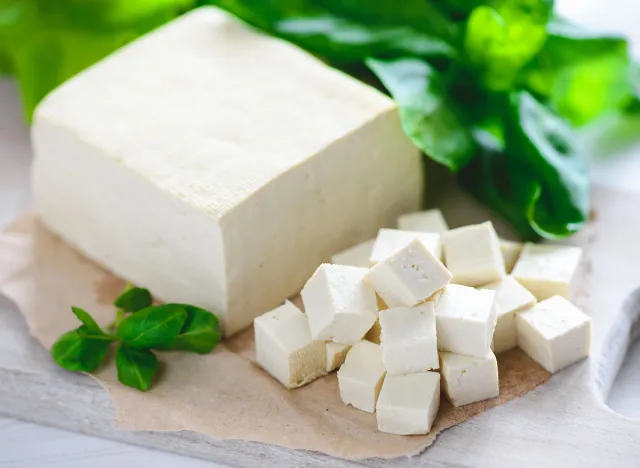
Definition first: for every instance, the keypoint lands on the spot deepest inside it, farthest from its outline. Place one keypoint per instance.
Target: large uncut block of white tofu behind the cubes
(218, 166)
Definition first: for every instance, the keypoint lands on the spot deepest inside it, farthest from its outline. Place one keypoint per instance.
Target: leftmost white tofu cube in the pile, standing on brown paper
(285, 349)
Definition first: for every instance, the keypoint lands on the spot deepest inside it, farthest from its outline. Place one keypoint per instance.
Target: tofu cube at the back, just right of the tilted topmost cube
(472, 254)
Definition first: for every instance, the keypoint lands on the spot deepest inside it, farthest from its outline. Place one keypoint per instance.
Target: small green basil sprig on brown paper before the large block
(140, 327)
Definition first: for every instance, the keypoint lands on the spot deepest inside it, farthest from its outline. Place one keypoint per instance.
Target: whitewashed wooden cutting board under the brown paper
(563, 421)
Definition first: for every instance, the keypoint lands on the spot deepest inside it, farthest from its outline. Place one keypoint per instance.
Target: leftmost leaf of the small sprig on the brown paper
(77, 352)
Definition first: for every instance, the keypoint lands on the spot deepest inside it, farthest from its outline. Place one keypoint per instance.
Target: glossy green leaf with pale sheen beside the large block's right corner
(428, 117)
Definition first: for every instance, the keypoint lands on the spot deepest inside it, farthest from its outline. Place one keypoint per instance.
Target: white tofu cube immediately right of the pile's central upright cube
(465, 320)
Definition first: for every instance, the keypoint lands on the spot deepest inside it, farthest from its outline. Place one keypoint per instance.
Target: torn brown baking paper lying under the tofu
(223, 394)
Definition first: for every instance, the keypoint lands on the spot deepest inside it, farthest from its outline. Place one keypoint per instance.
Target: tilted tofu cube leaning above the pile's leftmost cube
(340, 305)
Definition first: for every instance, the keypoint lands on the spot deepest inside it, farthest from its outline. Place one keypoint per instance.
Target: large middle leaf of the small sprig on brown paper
(152, 327)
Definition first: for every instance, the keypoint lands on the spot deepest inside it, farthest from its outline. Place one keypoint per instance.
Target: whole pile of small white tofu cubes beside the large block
(422, 309)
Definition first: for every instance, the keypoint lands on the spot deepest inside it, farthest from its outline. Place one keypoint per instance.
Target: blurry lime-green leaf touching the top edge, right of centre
(500, 41)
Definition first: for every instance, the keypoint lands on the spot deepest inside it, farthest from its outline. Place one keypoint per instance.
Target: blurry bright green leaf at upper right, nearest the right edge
(580, 73)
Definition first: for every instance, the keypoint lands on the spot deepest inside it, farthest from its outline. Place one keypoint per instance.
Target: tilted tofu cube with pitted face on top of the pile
(408, 277)
